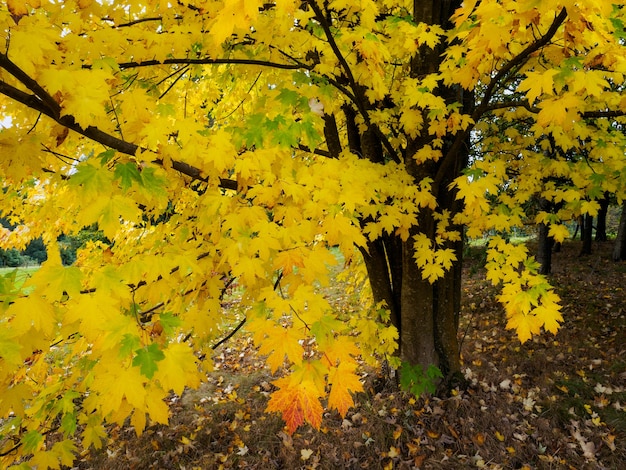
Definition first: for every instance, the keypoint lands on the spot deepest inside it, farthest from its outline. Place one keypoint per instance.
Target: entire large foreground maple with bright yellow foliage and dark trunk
(248, 141)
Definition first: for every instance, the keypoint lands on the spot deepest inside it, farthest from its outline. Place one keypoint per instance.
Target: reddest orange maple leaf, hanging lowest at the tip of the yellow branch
(298, 403)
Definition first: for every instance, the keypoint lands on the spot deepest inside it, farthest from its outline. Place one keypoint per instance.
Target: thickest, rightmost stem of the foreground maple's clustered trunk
(430, 312)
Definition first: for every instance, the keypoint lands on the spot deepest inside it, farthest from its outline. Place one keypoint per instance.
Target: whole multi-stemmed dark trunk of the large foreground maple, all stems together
(426, 315)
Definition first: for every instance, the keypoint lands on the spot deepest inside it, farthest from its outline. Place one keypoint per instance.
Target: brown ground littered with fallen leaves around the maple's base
(553, 402)
